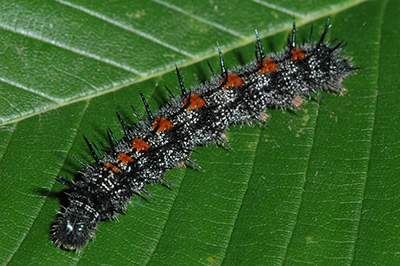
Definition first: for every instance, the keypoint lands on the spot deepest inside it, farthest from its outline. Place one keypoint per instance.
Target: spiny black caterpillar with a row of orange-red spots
(167, 138)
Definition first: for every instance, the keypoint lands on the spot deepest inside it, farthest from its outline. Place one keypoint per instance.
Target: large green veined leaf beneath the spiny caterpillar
(320, 186)
